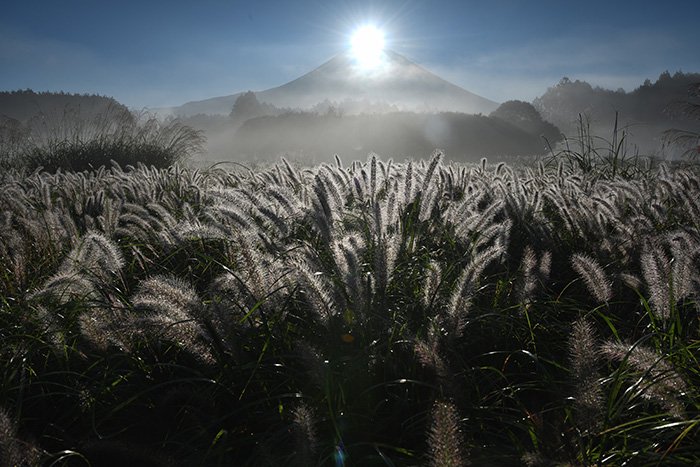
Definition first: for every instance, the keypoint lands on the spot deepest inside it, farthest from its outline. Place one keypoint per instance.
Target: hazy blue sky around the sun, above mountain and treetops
(158, 53)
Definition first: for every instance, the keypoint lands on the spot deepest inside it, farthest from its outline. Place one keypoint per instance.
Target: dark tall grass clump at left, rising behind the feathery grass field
(74, 142)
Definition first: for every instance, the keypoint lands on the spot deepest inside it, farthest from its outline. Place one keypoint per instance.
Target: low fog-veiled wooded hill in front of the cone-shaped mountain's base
(314, 137)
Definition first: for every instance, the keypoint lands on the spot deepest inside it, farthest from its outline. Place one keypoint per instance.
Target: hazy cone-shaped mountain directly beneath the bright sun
(398, 82)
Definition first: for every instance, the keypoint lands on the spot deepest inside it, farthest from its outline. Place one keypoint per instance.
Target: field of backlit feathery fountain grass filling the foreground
(379, 314)
